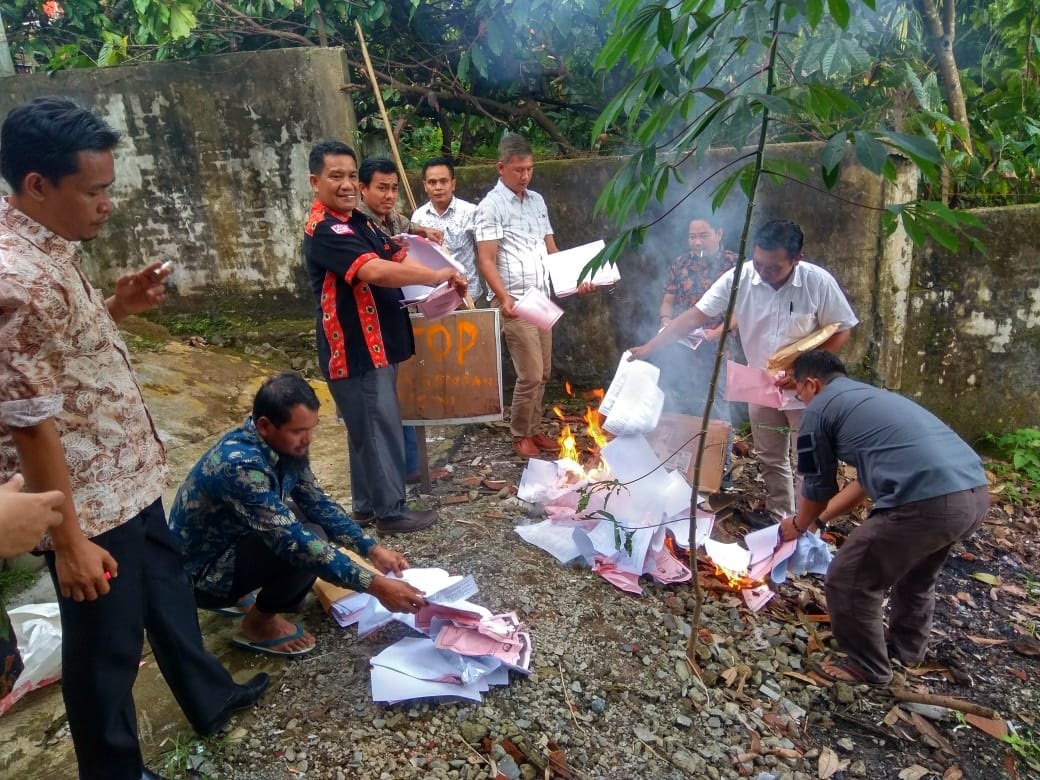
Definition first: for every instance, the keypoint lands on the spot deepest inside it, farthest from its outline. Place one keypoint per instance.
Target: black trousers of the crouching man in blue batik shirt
(283, 587)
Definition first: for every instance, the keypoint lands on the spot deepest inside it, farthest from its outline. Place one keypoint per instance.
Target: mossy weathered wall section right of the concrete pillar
(973, 353)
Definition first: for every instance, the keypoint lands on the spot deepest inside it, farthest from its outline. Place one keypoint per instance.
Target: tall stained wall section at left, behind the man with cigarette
(213, 169)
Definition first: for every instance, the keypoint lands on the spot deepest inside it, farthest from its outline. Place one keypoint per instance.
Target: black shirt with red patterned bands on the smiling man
(361, 326)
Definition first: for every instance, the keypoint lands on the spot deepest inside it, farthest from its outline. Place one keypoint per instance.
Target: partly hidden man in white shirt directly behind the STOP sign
(452, 216)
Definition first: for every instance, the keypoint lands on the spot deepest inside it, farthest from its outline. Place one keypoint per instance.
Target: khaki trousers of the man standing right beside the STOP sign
(531, 351)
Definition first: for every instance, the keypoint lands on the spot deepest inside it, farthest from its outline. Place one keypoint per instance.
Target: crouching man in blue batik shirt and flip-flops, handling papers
(251, 515)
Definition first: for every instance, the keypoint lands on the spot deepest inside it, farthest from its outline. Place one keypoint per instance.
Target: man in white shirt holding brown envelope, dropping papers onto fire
(782, 299)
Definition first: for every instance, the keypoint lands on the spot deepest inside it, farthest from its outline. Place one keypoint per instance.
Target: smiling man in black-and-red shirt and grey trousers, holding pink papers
(356, 273)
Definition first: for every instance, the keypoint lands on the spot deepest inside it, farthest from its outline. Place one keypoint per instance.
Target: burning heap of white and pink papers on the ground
(632, 506)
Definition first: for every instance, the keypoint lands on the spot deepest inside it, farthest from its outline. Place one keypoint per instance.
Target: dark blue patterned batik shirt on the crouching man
(241, 487)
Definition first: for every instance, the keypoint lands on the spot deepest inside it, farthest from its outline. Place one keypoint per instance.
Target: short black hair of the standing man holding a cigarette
(46, 137)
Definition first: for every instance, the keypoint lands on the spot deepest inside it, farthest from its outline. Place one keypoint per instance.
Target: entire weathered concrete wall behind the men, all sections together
(213, 173)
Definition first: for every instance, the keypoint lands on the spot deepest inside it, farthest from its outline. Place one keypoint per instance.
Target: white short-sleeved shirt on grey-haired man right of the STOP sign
(521, 228)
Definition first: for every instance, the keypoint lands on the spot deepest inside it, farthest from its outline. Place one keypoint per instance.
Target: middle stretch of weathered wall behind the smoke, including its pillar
(596, 329)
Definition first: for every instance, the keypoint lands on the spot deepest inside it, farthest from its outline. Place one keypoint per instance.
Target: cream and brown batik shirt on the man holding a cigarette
(63, 359)
